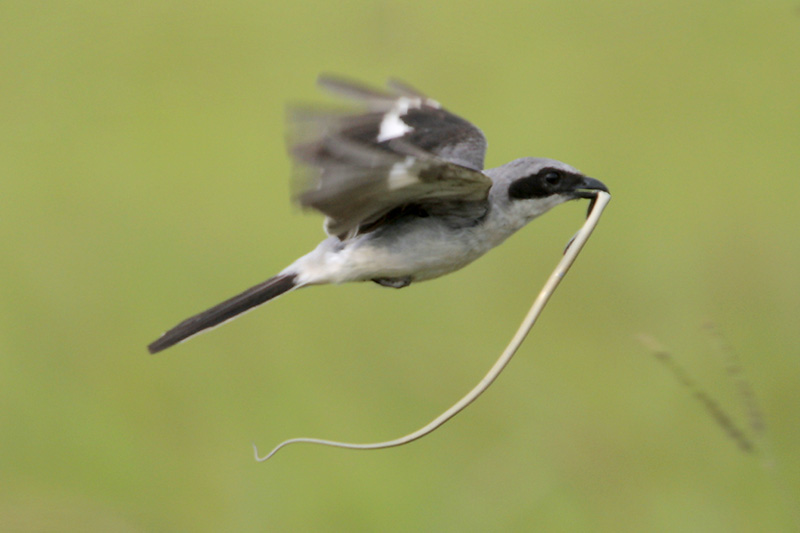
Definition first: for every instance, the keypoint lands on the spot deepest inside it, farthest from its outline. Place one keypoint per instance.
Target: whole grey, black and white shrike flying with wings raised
(402, 186)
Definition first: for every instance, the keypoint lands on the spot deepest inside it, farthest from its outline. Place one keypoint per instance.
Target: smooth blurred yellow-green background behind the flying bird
(144, 178)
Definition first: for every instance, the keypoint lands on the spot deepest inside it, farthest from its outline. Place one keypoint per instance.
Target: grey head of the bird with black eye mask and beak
(532, 186)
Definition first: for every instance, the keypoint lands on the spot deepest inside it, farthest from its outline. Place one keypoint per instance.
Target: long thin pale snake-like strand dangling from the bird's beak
(555, 278)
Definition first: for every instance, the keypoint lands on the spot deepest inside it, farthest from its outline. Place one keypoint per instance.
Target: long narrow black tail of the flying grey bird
(261, 293)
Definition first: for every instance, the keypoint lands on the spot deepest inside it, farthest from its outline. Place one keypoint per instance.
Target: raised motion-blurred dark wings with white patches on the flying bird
(399, 151)
